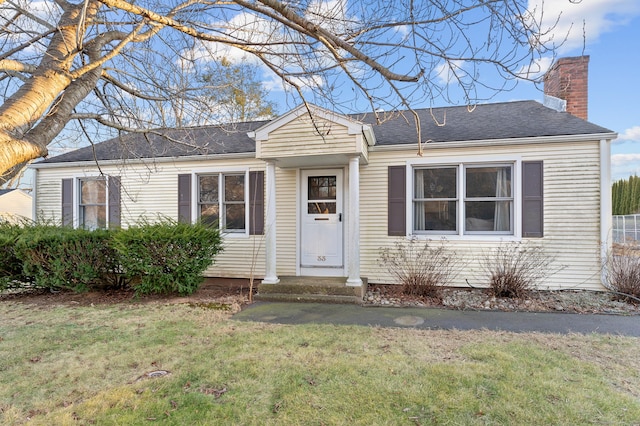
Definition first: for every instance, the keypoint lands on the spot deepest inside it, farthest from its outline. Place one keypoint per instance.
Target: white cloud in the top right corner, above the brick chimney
(583, 21)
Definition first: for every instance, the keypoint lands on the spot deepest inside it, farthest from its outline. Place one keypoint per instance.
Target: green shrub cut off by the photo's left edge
(11, 267)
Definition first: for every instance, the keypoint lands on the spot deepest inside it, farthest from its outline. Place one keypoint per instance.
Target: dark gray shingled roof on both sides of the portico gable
(507, 120)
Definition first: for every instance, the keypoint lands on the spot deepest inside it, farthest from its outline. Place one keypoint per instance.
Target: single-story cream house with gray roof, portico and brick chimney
(316, 193)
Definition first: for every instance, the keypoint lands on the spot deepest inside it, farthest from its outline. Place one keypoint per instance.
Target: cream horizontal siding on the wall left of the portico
(152, 189)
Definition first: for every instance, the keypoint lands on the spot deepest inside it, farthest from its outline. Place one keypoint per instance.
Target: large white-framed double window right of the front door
(474, 199)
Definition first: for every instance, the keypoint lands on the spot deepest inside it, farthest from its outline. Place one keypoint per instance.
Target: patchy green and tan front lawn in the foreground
(87, 365)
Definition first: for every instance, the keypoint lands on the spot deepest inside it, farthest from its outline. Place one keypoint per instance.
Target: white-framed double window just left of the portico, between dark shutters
(221, 199)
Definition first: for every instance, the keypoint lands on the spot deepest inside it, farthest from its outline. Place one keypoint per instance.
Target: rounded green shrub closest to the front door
(166, 256)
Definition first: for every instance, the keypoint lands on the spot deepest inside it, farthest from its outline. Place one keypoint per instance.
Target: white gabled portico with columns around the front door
(323, 152)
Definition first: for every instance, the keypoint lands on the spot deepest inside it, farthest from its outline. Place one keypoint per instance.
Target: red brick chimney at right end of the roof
(568, 79)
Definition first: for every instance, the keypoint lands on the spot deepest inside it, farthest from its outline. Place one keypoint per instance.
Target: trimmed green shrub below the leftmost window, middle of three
(66, 258)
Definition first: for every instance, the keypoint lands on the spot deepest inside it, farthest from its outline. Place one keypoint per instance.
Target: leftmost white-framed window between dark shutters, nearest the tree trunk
(92, 205)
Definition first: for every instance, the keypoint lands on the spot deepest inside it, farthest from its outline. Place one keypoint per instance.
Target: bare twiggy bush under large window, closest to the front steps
(422, 269)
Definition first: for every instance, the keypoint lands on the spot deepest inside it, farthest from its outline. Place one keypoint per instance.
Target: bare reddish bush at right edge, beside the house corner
(623, 272)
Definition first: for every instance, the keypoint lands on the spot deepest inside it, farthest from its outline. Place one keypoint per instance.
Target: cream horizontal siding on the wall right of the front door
(571, 211)
